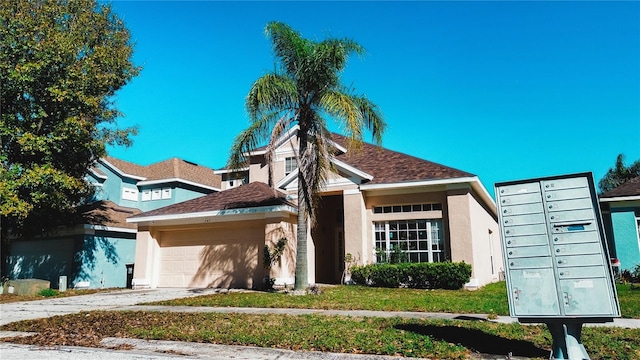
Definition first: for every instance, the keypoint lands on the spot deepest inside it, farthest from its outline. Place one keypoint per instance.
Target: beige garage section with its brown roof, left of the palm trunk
(214, 241)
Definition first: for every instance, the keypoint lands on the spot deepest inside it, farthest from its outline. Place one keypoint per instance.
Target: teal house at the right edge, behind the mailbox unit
(621, 218)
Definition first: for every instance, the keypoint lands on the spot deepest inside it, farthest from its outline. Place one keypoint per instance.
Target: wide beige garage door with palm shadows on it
(211, 258)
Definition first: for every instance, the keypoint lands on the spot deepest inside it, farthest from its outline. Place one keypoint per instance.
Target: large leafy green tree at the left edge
(61, 62)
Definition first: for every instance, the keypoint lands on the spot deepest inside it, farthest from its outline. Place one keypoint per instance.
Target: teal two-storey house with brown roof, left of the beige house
(100, 250)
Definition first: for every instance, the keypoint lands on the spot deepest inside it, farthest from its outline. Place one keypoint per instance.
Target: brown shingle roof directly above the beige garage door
(254, 194)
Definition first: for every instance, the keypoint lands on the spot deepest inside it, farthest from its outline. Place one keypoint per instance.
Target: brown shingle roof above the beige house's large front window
(389, 167)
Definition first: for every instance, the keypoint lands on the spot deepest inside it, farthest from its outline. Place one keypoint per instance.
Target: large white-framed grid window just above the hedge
(420, 240)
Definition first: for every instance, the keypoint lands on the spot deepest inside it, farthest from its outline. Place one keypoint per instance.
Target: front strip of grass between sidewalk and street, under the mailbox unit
(436, 339)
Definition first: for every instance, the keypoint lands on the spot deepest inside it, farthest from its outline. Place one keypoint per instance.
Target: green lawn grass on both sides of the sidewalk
(436, 339)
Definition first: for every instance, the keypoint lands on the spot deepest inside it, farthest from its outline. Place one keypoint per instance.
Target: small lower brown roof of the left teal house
(107, 213)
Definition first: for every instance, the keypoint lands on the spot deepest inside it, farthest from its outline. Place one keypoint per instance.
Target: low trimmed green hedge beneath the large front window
(444, 275)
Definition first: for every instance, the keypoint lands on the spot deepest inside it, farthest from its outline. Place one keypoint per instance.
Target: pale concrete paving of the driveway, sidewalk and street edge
(126, 300)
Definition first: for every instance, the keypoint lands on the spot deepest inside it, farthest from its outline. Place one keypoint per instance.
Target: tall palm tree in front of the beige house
(304, 88)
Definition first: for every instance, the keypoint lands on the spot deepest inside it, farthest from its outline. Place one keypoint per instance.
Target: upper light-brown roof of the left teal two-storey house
(173, 168)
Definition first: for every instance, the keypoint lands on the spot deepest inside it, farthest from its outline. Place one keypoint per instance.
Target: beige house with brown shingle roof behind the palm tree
(374, 201)
